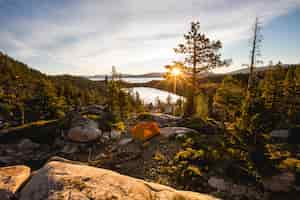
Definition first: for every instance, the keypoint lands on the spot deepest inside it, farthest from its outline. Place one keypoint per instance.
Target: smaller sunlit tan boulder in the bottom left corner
(11, 179)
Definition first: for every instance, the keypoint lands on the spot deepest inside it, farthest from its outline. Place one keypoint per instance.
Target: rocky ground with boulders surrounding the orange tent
(79, 141)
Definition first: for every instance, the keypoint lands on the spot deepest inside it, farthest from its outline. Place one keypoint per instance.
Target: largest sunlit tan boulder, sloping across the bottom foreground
(59, 180)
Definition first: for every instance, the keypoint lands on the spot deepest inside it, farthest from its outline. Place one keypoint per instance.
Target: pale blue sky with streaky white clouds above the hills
(88, 37)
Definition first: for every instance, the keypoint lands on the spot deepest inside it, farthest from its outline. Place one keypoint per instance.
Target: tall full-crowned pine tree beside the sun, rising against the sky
(202, 55)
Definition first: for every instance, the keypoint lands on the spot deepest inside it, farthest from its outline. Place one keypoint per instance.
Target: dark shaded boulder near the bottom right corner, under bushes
(279, 183)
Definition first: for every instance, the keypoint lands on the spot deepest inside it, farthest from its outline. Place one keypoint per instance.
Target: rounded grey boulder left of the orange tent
(86, 131)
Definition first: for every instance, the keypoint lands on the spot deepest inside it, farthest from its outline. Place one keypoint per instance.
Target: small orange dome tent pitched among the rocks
(145, 130)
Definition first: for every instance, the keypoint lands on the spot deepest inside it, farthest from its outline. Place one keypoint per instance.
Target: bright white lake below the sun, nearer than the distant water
(149, 95)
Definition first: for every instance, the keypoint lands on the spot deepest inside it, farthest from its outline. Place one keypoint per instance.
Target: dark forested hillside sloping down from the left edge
(28, 95)
